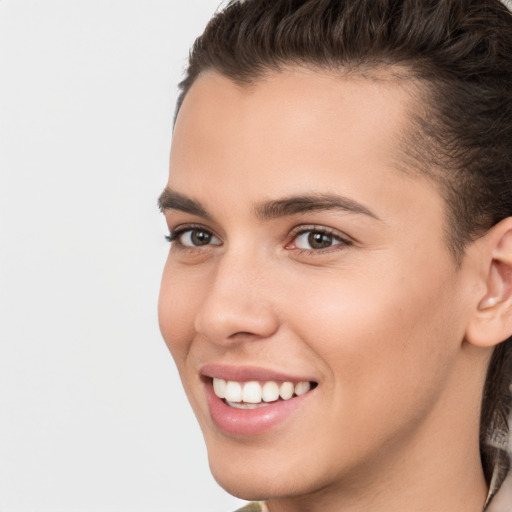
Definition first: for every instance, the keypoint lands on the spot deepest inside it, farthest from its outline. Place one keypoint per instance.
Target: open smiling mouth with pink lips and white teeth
(248, 401)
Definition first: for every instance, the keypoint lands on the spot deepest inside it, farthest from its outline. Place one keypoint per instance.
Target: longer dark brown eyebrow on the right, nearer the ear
(307, 203)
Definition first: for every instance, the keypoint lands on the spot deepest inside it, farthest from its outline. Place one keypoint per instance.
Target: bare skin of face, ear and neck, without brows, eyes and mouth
(394, 332)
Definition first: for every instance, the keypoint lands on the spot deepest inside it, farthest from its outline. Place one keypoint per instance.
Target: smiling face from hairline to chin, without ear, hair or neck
(304, 263)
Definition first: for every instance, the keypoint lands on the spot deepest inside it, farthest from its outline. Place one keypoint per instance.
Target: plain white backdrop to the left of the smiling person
(92, 416)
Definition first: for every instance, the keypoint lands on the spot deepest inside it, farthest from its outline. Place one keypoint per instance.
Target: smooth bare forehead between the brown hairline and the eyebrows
(294, 131)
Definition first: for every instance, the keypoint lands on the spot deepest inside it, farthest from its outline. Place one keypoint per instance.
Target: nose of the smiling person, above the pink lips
(237, 304)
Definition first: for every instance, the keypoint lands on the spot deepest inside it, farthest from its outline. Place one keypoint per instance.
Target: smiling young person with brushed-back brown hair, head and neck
(338, 292)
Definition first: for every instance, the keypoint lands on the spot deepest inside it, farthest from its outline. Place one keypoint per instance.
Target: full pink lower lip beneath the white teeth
(249, 422)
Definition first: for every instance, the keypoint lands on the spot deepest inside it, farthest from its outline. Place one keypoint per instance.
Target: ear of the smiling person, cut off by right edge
(491, 322)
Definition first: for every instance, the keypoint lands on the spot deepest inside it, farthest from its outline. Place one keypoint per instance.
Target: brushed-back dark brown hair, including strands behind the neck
(460, 54)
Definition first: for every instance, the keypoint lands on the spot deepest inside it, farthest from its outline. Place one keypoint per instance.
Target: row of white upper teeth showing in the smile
(253, 392)
